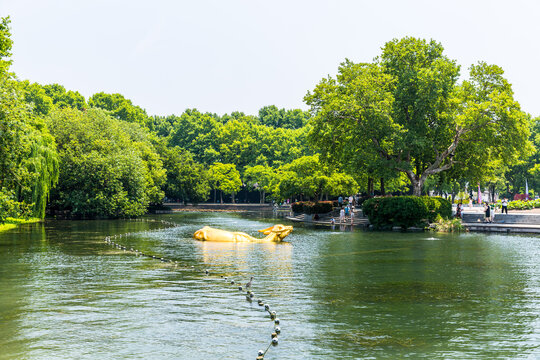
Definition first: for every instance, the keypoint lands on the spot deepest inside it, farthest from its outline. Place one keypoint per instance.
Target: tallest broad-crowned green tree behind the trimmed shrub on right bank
(407, 113)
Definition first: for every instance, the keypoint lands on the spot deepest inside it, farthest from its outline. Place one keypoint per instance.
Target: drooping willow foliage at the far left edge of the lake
(28, 159)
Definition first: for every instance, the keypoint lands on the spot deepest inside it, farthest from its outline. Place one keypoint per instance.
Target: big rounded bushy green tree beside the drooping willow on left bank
(108, 167)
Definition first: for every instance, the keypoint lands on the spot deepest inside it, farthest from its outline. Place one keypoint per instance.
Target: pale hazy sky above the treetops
(223, 56)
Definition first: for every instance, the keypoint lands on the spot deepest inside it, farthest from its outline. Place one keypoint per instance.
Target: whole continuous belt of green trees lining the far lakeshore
(403, 124)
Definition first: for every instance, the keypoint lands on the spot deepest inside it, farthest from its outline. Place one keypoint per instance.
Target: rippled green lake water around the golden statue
(67, 294)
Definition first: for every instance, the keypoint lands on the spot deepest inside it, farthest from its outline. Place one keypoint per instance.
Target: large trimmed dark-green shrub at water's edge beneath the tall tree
(405, 211)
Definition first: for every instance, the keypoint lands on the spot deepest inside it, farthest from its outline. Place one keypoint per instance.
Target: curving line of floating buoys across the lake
(113, 241)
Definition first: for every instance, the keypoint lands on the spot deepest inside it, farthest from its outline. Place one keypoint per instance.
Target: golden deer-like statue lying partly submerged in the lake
(274, 233)
